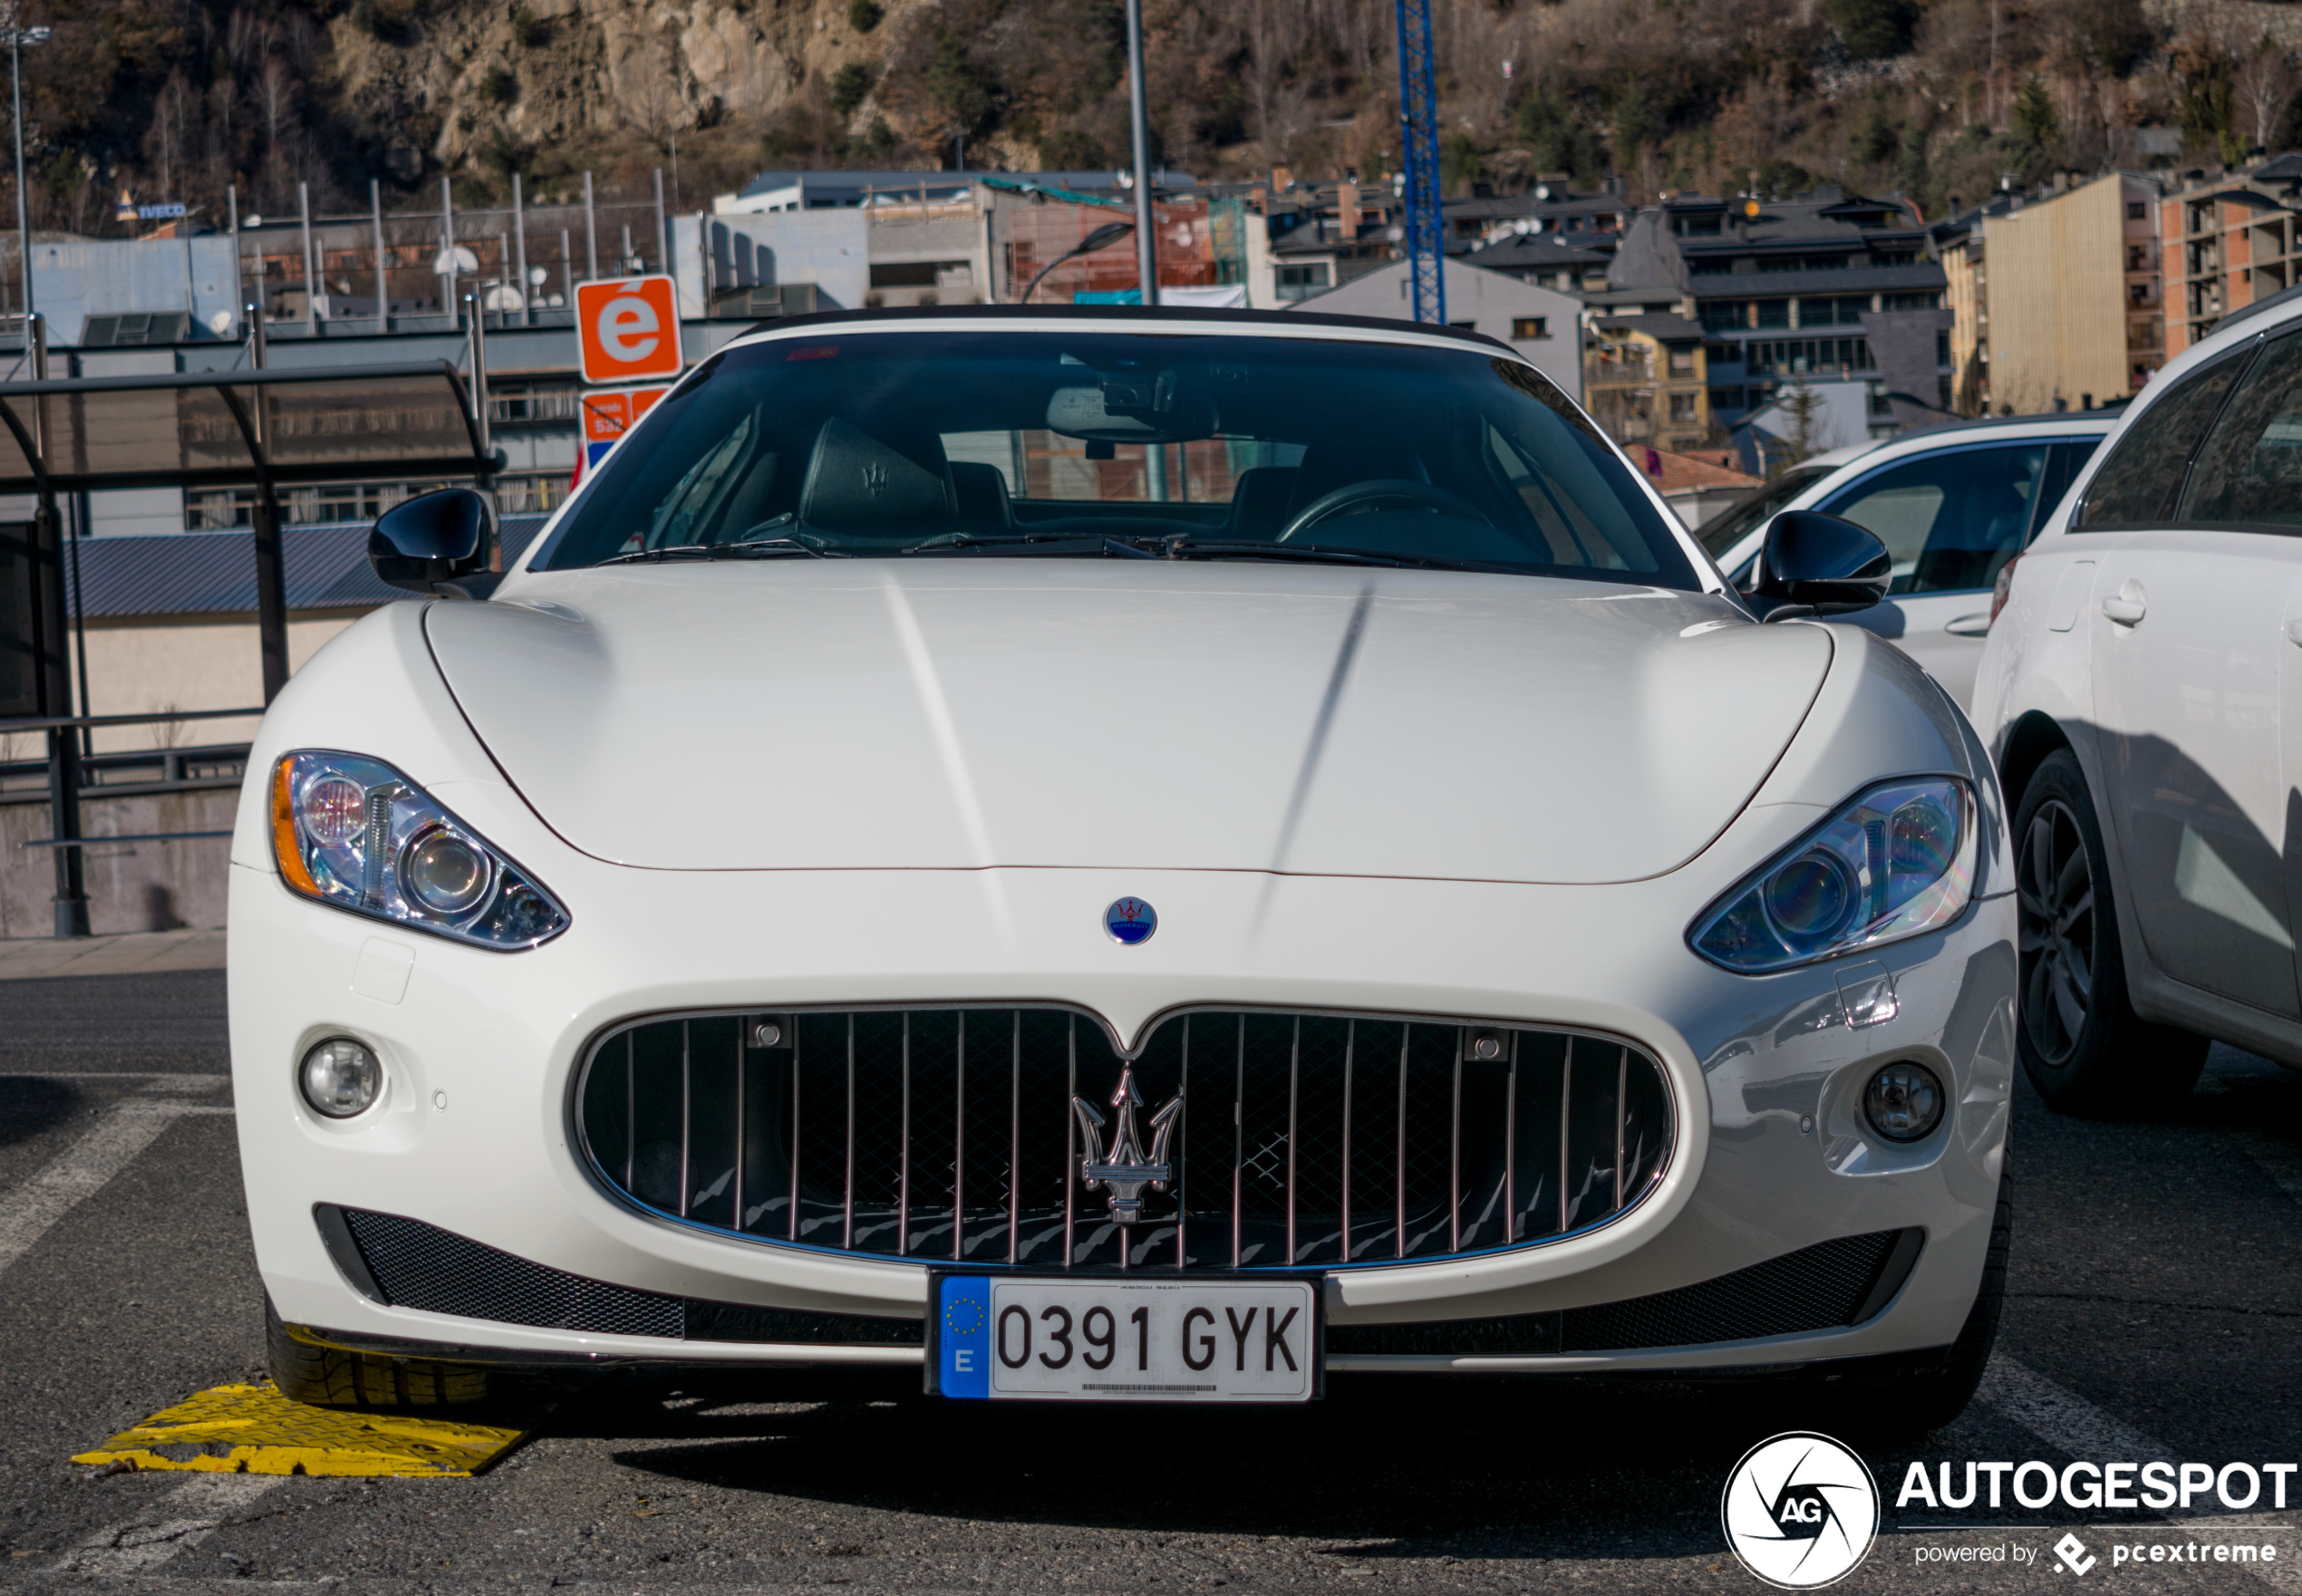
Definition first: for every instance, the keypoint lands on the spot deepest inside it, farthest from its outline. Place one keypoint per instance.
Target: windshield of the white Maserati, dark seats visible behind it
(1122, 446)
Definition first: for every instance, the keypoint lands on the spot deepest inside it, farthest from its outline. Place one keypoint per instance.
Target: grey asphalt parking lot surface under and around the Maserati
(2154, 1312)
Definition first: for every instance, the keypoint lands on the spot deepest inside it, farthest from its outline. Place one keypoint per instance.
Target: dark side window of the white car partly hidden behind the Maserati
(1953, 519)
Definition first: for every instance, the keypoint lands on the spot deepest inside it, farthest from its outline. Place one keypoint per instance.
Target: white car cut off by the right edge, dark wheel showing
(2144, 697)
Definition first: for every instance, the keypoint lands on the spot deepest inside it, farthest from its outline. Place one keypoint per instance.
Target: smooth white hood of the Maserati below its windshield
(1037, 713)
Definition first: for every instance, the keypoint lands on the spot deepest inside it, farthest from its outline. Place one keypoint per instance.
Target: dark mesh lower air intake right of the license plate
(1815, 1289)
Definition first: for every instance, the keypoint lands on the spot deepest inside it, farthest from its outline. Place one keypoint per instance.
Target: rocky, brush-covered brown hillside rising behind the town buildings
(1935, 98)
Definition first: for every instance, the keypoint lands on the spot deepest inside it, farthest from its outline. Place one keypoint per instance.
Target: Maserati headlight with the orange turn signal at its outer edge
(363, 837)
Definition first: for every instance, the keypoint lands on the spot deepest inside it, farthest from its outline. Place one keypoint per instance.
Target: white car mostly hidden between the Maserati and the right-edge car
(1953, 506)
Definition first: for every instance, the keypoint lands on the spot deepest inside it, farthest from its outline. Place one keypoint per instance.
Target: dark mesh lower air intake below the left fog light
(434, 1270)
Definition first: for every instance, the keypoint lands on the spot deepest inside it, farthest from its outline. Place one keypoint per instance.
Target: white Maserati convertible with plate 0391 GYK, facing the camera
(1122, 858)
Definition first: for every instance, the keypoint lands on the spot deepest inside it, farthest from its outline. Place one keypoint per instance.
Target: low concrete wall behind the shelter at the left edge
(130, 886)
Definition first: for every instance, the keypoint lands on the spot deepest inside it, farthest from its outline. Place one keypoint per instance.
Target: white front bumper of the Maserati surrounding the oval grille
(482, 1051)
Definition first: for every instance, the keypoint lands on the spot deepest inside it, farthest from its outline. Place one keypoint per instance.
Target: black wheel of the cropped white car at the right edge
(2080, 1040)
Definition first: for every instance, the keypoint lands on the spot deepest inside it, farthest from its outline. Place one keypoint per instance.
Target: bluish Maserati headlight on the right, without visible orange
(1896, 862)
